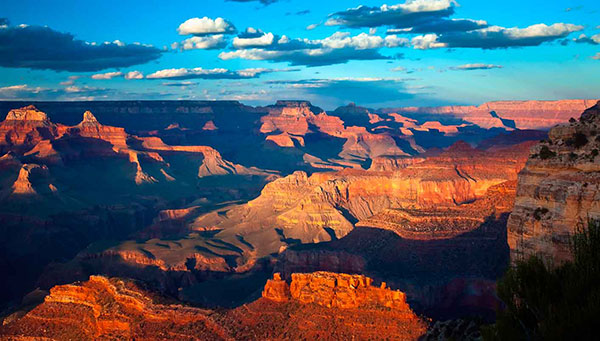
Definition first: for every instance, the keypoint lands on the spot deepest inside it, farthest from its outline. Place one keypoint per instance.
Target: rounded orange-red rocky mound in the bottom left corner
(102, 308)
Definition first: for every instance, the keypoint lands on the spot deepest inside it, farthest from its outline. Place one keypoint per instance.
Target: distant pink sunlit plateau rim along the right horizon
(510, 114)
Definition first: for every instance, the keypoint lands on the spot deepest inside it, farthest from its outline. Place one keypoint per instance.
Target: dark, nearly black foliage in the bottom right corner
(546, 302)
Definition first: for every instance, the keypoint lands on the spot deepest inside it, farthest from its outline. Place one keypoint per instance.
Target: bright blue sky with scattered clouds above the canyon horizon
(419, 52)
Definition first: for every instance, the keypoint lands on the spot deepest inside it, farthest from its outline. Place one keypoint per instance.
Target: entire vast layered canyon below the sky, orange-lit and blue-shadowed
(255, 213)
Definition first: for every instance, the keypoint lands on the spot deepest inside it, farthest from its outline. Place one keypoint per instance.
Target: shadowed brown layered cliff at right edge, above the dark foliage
(558, 190)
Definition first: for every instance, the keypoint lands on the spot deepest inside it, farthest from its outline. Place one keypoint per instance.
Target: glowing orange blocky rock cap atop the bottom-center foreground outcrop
(334, 290)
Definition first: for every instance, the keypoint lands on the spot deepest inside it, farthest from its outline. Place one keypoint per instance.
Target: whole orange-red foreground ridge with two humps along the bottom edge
(103, 308)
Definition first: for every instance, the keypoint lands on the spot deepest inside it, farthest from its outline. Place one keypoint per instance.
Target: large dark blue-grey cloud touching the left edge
(38, 47)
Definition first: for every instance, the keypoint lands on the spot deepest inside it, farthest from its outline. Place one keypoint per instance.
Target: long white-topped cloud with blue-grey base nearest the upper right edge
(497, 37)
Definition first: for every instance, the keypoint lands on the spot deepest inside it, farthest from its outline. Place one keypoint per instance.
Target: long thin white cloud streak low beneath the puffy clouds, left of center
(217, 73)
